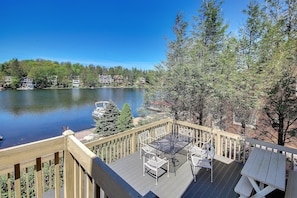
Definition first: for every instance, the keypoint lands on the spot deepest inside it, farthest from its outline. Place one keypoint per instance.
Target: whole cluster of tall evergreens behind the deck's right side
(209, 73)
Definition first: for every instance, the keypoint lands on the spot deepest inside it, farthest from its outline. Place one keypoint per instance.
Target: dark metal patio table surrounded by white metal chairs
(171, 144)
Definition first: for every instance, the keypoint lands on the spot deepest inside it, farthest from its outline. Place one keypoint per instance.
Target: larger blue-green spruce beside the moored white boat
(107, 124)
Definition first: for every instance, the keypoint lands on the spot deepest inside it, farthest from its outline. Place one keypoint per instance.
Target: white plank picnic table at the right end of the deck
(266, 171)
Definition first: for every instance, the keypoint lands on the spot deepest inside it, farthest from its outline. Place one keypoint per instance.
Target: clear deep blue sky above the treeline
(109, 33)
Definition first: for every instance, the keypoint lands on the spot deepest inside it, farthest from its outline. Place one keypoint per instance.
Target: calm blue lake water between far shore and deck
(27, 116)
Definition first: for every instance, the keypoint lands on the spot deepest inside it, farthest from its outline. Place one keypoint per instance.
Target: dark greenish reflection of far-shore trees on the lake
(39, 101)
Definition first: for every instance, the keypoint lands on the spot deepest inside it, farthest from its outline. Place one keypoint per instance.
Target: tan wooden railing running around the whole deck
(81, 169)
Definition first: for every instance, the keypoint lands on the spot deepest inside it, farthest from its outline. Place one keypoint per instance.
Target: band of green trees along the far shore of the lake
(41, 71)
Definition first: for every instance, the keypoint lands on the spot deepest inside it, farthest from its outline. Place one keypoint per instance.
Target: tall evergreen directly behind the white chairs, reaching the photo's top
(208, 37)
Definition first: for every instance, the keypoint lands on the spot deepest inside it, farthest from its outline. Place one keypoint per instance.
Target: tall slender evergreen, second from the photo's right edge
(247, 75)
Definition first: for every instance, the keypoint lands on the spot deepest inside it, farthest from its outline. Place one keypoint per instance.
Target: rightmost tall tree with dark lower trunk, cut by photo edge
(278, 64)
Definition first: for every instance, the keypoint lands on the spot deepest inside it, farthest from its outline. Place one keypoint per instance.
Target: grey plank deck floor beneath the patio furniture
(226, 175)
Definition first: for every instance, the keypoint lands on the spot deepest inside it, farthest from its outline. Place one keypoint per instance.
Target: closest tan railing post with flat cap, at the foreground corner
(68, 167)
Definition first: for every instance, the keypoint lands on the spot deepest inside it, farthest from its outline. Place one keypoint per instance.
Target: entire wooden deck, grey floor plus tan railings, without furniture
(111, 167)
